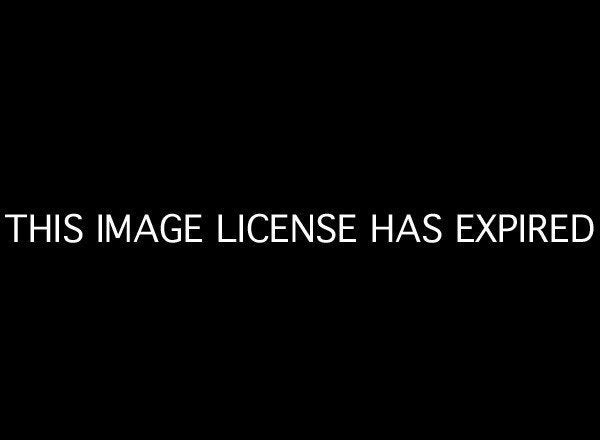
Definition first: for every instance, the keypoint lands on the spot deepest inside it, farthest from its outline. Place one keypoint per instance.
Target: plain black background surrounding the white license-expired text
(368, 113)
